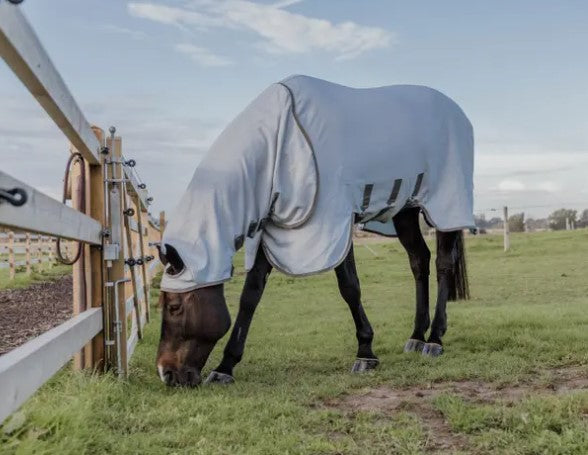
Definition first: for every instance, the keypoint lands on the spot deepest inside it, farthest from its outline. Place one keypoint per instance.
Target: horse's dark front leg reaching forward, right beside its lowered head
(250, 297)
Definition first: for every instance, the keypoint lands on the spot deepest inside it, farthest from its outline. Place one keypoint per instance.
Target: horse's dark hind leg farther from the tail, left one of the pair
(409, 233)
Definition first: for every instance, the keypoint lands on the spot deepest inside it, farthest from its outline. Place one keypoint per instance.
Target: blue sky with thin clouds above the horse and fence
(171, 74)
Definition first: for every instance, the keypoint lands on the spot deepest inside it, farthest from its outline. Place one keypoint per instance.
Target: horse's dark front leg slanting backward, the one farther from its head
(350, 291)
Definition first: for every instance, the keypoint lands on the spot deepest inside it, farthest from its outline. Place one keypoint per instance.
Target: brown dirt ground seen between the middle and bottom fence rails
(28, 312)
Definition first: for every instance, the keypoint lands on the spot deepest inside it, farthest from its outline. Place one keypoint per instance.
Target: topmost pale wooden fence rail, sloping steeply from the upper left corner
(24, 54)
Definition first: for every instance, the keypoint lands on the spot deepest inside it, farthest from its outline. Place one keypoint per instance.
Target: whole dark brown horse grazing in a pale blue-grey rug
(288, 179)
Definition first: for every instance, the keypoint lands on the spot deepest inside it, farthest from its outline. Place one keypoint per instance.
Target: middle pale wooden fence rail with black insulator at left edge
(46, 215)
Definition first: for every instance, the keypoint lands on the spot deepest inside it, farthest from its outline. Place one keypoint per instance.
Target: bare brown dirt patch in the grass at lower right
(418, 400)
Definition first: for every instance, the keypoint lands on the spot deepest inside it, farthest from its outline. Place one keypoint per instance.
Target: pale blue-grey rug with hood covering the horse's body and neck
(292, 170)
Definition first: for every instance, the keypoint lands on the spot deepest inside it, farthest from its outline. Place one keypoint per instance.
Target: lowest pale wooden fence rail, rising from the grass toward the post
(26, 368)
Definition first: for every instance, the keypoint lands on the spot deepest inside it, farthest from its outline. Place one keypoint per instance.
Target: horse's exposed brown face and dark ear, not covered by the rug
(192, 323)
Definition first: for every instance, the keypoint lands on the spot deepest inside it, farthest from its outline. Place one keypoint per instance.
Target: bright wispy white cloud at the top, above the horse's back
(281, 31)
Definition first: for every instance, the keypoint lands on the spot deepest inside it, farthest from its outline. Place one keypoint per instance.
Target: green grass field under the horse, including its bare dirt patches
(512, 379)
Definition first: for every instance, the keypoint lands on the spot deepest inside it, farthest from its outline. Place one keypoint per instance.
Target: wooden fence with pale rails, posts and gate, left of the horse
(108, 216)
